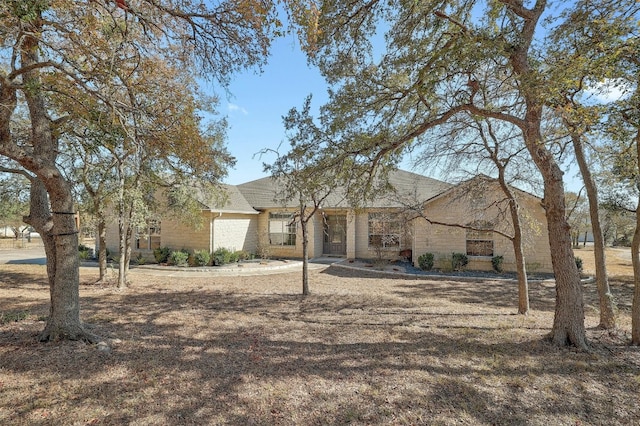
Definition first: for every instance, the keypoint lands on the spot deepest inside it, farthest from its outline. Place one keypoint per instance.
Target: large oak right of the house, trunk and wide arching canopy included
(432, 67)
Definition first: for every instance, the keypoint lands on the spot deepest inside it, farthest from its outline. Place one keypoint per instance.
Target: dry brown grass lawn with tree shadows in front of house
(363, 349)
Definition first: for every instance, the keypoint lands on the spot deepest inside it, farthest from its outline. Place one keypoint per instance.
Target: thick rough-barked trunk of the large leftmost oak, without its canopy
(58, 224)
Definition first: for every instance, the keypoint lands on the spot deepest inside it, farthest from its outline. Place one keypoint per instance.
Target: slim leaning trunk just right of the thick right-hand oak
(607, 315)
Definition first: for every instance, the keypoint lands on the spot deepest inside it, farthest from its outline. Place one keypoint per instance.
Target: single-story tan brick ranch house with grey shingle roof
(251, 220)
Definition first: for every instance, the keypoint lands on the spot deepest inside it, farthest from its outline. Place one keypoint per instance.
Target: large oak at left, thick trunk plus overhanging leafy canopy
(50, 45)
